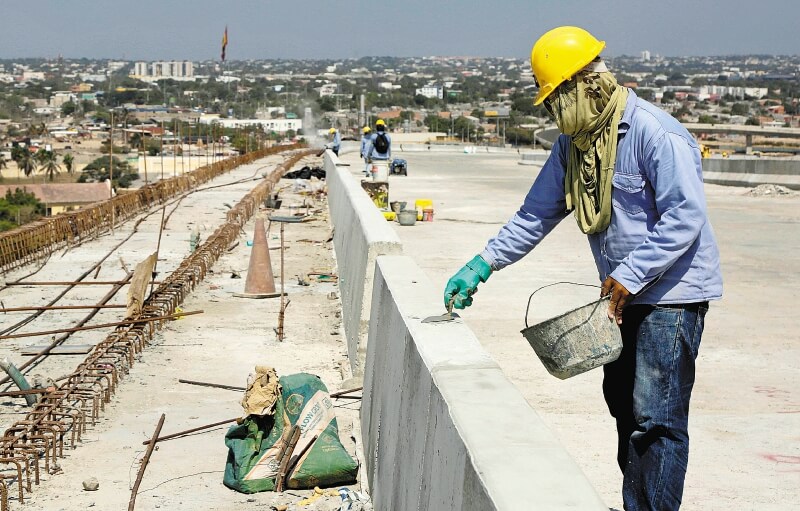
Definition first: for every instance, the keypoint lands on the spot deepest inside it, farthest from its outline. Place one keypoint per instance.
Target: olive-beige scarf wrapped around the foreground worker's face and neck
(588, 109)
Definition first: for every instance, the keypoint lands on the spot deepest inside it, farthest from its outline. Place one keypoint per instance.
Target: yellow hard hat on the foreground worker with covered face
(559, 54)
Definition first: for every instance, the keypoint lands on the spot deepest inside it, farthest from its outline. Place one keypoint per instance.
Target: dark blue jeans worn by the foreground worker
(647, 391)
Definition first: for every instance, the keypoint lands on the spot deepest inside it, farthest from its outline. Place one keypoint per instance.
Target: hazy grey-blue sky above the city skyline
(192, 29)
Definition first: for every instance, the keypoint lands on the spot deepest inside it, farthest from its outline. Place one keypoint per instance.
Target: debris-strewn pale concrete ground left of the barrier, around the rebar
(222, 345)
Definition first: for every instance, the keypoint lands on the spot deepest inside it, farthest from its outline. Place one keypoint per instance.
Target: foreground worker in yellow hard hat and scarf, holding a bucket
(632, 176)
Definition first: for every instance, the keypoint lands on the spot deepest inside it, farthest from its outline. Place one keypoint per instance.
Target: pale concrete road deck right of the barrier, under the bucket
(745, 415)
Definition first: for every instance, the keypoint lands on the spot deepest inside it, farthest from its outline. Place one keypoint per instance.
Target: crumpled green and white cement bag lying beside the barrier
(254, 445)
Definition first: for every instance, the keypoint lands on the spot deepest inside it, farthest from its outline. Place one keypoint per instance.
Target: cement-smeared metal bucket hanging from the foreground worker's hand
(577, 341)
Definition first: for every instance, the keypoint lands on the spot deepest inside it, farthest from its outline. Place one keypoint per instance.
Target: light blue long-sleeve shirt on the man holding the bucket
(660, 244)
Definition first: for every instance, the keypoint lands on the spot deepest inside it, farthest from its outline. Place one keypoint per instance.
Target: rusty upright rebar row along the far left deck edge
(38, 239)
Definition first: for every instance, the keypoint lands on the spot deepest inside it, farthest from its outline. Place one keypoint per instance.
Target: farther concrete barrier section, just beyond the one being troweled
(360, 235)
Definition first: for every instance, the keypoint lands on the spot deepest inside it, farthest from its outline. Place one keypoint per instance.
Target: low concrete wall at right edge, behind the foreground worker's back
(752, 171)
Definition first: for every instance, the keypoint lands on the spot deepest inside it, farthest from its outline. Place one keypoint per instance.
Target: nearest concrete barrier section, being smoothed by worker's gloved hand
(442, 427)
